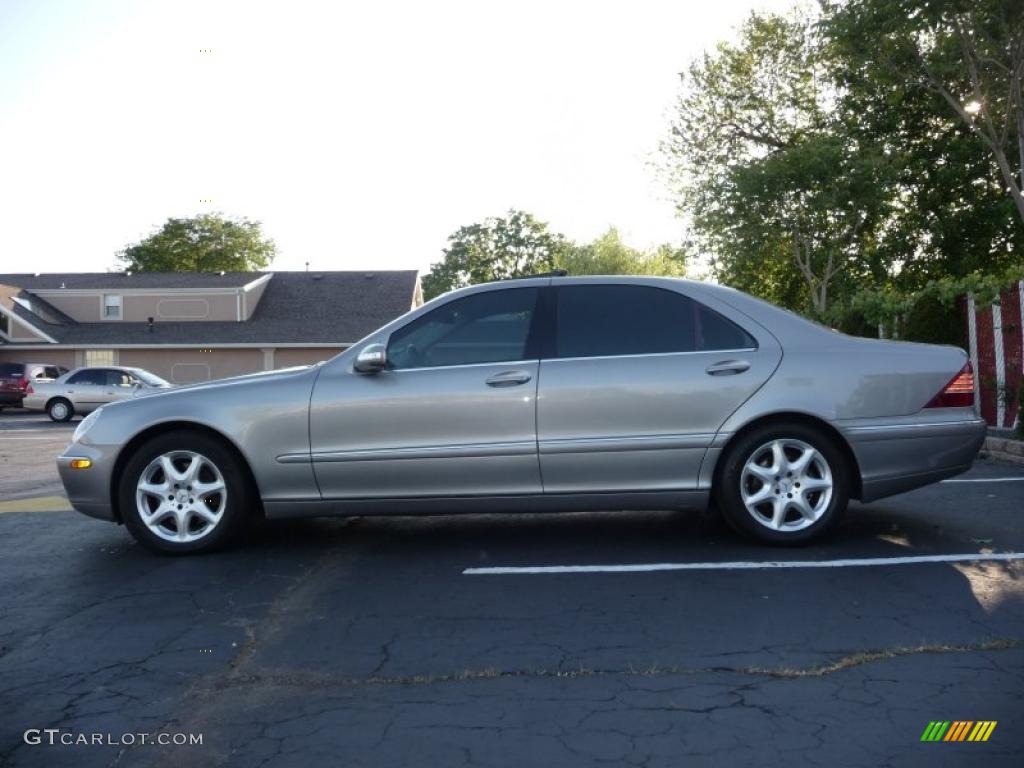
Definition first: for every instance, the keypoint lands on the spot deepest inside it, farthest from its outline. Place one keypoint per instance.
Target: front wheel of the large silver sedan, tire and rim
(209, 523)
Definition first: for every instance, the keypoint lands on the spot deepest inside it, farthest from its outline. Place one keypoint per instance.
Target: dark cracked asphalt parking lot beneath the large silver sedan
(392, 643)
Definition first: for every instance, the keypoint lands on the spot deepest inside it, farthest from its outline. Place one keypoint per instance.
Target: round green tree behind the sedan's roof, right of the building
(497, 248)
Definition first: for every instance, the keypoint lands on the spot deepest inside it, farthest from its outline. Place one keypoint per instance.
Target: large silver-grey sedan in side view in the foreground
(543, 395)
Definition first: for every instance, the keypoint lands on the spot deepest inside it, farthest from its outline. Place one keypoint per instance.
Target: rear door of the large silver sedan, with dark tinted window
(639, 380)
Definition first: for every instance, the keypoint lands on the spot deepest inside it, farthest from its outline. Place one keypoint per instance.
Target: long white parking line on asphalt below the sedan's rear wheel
(744, 566)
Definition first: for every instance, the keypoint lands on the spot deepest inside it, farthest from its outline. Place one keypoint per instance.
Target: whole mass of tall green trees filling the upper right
(849, 160)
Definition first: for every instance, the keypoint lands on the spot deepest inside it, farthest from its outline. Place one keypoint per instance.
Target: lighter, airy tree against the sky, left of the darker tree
(785, 204)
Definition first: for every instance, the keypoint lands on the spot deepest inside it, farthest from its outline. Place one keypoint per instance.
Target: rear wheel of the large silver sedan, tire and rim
(792, 501)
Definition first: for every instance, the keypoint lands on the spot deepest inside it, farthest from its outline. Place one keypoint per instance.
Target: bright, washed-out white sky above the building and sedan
(361, 135)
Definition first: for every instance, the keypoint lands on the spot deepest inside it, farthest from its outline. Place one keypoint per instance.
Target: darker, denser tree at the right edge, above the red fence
(936, 87)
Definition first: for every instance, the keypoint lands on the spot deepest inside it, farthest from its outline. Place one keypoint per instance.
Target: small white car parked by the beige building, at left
(86, 390)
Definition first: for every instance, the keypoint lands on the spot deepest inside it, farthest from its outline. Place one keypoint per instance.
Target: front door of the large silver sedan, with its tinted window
(452, 414)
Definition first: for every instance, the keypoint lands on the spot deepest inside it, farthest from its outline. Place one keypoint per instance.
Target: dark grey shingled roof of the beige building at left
(297, 308)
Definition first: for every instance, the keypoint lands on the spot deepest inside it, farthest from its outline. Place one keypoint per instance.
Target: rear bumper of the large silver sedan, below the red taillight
(895, 456)
